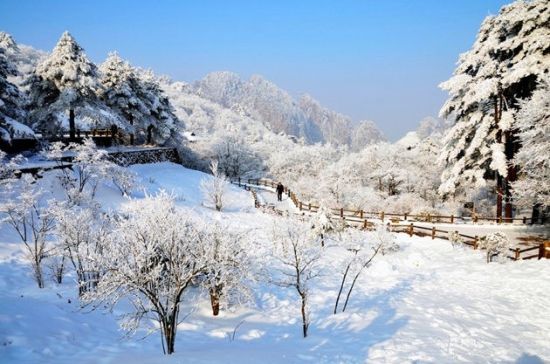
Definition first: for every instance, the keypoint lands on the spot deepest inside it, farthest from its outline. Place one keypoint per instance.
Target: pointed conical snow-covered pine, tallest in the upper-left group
(67, 81)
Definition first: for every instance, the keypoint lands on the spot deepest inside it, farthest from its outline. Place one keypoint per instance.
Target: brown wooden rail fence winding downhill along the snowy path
(360, 219)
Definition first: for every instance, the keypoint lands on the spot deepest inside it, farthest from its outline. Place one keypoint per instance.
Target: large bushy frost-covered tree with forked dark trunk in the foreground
(154, 257)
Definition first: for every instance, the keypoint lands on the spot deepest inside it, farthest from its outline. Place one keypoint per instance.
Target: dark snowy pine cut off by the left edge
(11, 111)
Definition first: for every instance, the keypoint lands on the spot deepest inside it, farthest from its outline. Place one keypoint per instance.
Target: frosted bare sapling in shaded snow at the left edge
(23, 209)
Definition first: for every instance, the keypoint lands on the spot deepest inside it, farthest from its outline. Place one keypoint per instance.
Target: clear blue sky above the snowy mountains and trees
(378, 60)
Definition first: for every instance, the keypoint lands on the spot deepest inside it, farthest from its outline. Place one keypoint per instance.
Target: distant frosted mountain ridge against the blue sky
(305, 118)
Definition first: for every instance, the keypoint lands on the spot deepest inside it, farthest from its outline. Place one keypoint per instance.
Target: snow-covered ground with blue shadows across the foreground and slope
(427, 303)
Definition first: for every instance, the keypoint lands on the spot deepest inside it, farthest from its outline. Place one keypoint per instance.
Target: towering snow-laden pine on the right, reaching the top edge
(510, 53)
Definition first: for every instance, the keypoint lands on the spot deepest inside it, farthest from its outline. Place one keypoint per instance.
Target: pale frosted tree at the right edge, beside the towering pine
(533, 123)
